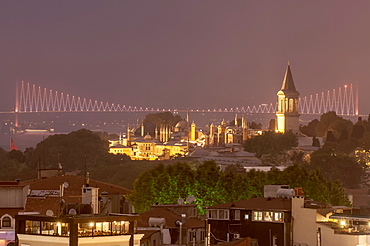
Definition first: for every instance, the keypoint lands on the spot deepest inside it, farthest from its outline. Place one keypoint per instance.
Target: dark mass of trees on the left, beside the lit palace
(72, 151)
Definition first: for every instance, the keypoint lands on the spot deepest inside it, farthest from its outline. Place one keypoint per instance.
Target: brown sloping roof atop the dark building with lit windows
(259, 203)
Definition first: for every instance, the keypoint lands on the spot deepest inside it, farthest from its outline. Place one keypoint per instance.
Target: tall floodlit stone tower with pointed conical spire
(287, 116)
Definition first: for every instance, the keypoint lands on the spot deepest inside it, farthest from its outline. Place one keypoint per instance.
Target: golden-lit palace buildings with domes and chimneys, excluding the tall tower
(170, 142)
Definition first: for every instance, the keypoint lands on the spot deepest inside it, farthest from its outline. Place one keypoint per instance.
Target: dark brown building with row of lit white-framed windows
(266, 219)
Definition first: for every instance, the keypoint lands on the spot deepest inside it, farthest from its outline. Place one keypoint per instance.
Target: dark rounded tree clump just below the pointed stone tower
(271, 143)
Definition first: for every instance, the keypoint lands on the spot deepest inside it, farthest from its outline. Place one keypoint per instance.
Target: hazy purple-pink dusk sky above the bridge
(184, 53)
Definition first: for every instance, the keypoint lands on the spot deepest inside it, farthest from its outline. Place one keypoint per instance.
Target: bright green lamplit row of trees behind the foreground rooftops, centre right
(212, 186)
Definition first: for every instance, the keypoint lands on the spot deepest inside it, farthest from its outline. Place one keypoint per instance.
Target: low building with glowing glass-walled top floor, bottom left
(74, 230)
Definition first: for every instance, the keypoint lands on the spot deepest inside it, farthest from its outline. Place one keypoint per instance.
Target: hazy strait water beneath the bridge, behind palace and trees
(111, 123)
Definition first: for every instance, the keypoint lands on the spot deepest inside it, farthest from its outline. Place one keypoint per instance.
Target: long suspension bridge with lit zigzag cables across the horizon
(31, 98)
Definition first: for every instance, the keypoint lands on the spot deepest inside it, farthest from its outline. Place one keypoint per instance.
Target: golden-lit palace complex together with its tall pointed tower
(169, 142)
